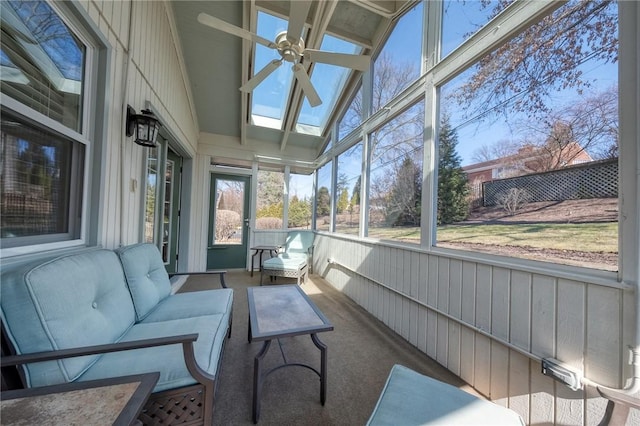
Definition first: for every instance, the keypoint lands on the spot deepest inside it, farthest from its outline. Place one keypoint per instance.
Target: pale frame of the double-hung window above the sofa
(93, 131)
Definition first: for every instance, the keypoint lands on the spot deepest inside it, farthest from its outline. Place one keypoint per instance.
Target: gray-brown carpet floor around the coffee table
(361, 352)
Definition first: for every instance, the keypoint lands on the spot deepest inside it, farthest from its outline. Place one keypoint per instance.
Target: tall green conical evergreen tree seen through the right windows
(453, 190)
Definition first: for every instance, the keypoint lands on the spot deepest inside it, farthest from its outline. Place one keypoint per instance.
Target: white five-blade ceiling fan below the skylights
(291, 48)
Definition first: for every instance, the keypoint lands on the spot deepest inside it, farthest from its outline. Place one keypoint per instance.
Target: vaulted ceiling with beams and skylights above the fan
(219, 63)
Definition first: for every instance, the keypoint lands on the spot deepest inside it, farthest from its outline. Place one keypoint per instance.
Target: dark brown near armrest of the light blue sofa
(185, 339)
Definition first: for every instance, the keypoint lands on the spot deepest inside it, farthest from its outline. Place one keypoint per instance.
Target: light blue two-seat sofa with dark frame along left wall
(121, 299)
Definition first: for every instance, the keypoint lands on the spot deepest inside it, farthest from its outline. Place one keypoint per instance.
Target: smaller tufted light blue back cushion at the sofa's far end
(146, 276)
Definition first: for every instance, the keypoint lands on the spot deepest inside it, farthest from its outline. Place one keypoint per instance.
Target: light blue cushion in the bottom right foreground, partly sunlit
(410, 398)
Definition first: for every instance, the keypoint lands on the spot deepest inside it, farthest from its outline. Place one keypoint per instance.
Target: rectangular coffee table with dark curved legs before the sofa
(284, 311)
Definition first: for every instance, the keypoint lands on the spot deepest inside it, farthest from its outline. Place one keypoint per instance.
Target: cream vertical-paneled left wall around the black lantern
(146, 69)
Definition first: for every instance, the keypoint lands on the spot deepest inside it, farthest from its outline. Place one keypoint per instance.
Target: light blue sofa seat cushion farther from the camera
(192, 304)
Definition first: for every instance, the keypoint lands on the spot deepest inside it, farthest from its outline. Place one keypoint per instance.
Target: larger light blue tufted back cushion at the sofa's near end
(71, 301)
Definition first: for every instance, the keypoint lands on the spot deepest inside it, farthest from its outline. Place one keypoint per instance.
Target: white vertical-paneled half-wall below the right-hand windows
(491, 325)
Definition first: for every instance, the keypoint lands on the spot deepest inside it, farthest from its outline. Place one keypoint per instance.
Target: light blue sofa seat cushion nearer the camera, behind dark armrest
(168, 360)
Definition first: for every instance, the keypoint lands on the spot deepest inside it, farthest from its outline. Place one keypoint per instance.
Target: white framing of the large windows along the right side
(437, 71)
